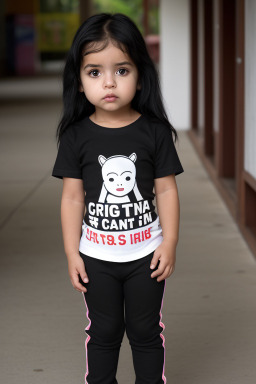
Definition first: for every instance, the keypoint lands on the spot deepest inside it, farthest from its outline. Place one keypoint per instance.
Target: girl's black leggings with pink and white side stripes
(123, 296)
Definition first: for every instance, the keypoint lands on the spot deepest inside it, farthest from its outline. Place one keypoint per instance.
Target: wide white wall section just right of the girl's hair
(175, 60)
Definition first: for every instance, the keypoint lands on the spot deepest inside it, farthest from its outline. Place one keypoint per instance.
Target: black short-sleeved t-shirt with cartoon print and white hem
(118, 167)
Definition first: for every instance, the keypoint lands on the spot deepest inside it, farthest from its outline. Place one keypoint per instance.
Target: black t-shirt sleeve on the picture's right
(167, 161)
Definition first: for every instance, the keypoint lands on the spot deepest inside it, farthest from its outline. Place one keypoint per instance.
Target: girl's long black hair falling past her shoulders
(123, 32)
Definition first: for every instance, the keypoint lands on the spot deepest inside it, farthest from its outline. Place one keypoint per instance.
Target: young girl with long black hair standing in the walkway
(116, 145)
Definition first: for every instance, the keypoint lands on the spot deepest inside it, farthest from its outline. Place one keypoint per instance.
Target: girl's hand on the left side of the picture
(76, 268)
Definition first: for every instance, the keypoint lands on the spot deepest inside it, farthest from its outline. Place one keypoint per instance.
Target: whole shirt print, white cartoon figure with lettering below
(115, 212)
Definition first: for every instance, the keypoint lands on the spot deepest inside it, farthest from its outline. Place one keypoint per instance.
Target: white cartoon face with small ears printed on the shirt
(118, 173)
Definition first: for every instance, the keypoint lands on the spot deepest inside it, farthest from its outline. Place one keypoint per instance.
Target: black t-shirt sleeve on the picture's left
(67, 161)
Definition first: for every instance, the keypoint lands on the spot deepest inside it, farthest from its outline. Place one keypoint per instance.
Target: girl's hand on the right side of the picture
(166, 253)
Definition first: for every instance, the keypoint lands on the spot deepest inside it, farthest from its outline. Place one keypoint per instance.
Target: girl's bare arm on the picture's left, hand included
(72, 213)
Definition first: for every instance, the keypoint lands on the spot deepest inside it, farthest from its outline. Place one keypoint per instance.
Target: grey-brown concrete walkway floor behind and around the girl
(209, 305)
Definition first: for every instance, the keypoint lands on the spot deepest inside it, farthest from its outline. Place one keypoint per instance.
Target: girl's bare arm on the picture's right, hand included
(168, 209)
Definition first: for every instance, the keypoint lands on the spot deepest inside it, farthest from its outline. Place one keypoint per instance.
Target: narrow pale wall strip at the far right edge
(250, 87)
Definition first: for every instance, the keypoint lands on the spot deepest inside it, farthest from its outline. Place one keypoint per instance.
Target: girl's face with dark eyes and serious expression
(109, 79)
